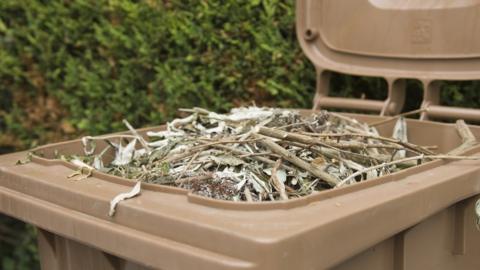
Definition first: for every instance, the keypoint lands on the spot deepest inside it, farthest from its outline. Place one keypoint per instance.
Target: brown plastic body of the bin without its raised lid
(420, 218)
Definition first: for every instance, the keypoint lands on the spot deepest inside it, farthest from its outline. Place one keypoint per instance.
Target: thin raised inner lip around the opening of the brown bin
(246, 206)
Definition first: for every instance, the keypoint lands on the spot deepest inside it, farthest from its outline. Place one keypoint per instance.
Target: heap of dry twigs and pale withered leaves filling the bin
(258, 154)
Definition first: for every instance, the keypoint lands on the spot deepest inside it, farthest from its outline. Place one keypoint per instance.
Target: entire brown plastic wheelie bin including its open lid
(420, 218)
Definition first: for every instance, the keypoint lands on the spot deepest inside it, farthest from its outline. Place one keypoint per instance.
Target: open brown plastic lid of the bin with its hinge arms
(428, 40)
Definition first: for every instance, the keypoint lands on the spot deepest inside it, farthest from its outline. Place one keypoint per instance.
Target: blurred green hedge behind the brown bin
(76, 67)
